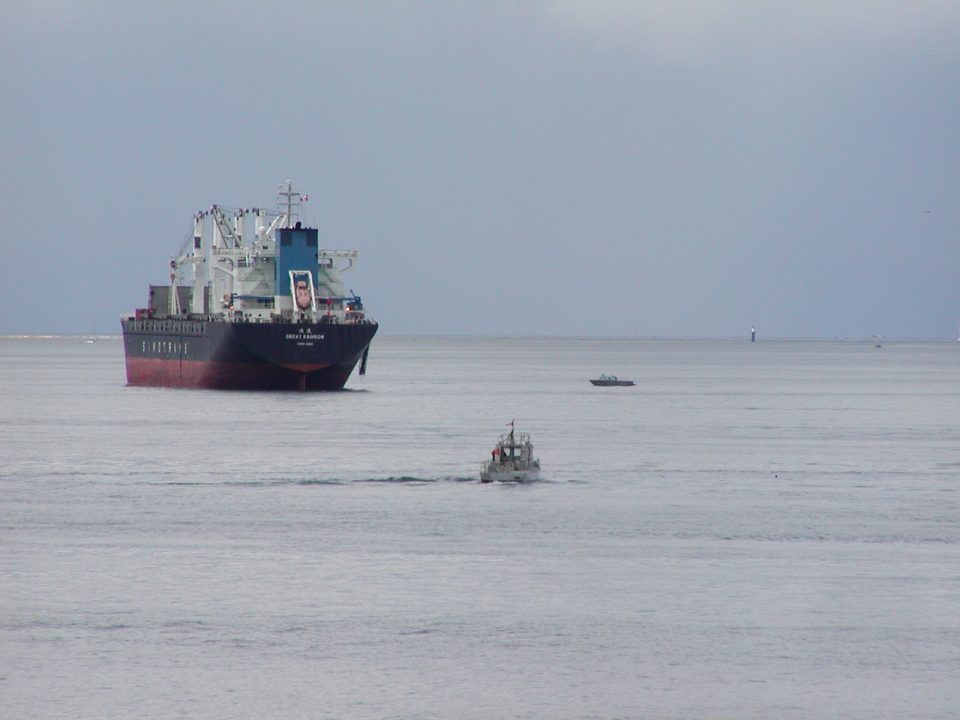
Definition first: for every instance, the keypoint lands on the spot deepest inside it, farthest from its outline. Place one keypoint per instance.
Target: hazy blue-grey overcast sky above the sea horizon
(568, 167)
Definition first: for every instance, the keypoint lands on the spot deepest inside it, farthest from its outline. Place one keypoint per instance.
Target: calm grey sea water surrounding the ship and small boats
(766, 530)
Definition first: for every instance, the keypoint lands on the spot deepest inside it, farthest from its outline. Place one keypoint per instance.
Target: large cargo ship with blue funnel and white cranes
(254, 303)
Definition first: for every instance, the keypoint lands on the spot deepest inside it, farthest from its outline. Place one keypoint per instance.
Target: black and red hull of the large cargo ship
(217, 354)
